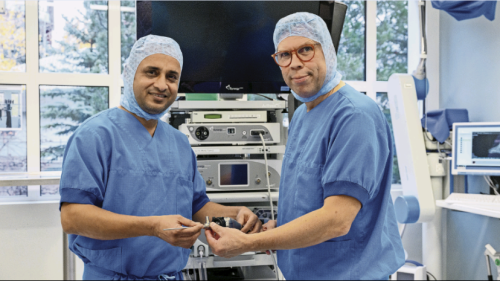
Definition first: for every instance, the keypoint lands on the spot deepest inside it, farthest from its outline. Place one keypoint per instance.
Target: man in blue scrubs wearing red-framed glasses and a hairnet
(336, 217)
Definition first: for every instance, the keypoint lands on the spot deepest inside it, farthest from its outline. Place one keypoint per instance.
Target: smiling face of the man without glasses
(156, 83)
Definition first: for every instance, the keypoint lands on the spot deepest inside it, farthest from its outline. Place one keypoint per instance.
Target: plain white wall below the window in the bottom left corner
(31, 242)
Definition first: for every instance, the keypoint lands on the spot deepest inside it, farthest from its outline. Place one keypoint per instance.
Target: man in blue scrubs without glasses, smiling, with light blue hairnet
(126, 177)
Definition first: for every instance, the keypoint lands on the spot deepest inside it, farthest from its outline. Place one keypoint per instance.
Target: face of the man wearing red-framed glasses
(304, 78)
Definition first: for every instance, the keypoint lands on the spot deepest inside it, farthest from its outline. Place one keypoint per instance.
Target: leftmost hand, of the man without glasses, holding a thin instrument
(184, 238)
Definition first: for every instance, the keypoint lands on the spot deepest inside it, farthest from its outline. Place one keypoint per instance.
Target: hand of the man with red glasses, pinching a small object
(226, 242)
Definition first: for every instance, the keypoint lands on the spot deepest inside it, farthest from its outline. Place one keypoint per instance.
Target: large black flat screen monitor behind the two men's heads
(227, 45)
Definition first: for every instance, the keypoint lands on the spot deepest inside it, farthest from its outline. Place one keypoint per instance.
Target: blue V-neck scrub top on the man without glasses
(111, 161)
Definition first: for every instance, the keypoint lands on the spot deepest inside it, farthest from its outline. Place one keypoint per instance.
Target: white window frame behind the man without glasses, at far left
(33, 79)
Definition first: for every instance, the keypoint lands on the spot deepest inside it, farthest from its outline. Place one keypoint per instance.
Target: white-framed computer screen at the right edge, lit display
(476, 149)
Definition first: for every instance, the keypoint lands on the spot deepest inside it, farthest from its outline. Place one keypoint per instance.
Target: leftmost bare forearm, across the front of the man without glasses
(97, 223)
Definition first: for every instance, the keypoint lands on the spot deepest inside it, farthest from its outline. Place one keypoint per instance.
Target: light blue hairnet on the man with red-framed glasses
(313, 27)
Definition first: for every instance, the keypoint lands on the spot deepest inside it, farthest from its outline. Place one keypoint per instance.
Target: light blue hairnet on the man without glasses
(145, 47)
